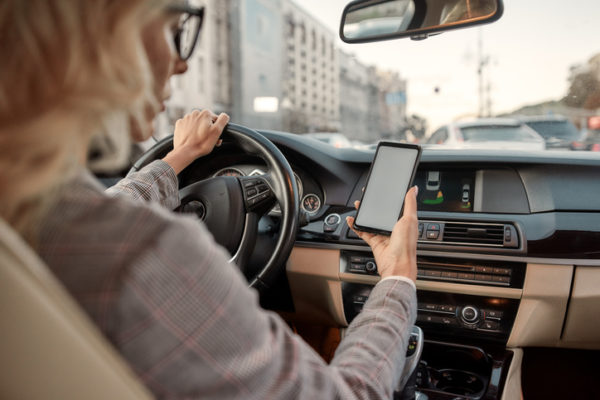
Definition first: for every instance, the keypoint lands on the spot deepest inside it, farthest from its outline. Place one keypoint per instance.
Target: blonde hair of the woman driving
(69, 70)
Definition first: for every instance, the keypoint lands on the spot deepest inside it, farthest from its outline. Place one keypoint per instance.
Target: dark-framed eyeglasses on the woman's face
(188, 29)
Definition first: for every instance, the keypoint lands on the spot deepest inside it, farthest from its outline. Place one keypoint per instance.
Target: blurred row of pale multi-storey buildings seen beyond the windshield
(271, 65)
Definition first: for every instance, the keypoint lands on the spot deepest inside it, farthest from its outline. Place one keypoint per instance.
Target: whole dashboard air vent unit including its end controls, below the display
(469, 234)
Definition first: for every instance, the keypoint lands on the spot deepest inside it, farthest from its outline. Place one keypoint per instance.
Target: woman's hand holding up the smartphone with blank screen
(396, 255)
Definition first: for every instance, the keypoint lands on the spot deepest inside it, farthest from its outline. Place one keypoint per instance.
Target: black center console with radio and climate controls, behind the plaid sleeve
(466, 310)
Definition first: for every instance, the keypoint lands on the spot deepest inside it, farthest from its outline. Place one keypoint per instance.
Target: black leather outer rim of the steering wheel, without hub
(285, 190)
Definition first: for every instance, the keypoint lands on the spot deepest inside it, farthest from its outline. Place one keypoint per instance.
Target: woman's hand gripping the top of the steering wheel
(196, 134)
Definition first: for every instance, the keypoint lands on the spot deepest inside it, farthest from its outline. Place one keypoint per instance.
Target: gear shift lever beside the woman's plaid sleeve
(406, 389)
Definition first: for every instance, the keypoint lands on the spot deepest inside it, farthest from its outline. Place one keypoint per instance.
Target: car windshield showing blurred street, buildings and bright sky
(280, 65)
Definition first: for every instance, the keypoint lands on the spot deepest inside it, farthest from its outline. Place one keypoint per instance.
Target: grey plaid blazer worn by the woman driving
(164, 294)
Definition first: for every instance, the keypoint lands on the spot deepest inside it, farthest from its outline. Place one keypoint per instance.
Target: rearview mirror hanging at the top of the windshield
(376, 20)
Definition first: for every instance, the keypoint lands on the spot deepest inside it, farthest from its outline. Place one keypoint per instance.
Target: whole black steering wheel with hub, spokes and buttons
(231, 207)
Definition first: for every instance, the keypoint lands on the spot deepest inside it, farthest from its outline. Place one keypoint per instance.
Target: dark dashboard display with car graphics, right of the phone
(447, 191)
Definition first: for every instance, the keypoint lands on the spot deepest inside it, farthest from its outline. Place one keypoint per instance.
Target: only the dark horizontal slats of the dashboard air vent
(491, 235)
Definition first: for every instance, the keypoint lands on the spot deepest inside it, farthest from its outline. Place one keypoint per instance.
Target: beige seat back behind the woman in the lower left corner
(48, 347)
